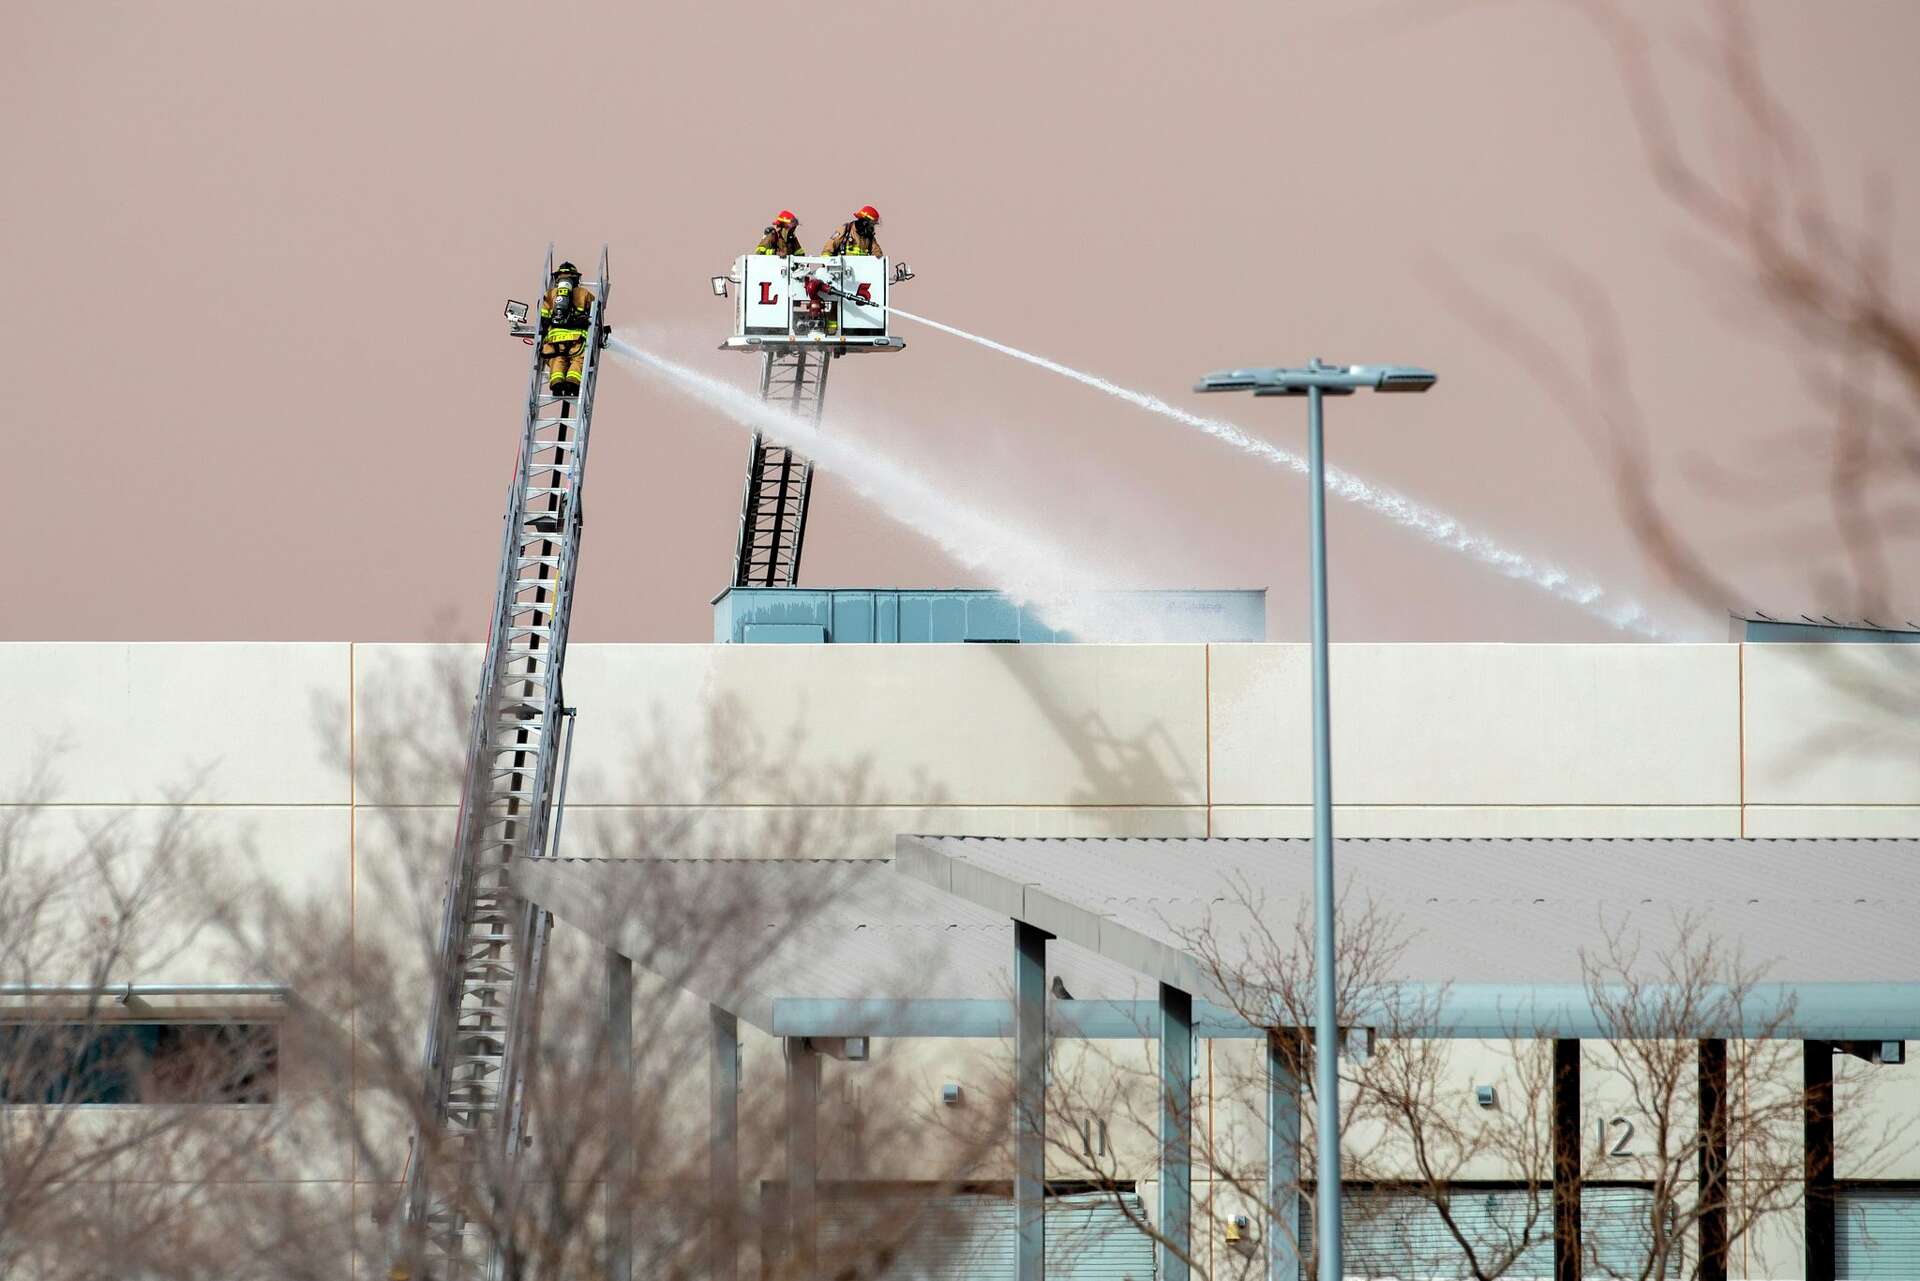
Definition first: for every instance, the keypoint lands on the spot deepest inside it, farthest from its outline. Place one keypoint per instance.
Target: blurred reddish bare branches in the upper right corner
(1767, 228)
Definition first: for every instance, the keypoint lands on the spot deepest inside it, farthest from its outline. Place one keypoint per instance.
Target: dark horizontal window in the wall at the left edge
(139, 1063)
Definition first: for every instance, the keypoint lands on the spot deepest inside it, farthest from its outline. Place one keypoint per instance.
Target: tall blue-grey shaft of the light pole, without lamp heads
(1326, 1021)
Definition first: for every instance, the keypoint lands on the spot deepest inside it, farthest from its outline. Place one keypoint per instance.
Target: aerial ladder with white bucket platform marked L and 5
(800, 316)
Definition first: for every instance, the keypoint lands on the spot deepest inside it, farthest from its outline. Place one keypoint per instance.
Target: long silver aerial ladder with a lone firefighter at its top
(485, 1013)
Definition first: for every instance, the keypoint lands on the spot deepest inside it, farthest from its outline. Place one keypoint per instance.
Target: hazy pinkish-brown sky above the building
(256, 253)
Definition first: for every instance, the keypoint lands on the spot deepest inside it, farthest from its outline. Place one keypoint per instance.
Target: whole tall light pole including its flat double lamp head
(1318, 381)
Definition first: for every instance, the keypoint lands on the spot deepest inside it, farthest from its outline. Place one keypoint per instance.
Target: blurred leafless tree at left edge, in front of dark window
(84, 904)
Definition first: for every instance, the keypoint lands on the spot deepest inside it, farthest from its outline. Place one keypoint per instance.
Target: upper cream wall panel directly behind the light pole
(1483, 725)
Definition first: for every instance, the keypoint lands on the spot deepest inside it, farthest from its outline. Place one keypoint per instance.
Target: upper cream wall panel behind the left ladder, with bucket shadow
(852, 725)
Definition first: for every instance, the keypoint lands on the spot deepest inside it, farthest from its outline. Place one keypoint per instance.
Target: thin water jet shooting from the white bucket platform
(1404, 512)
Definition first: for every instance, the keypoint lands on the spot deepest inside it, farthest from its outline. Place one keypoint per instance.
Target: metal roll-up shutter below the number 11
(972, 1240)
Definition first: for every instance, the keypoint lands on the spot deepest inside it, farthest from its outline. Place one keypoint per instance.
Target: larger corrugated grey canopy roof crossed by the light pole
(1489, 919)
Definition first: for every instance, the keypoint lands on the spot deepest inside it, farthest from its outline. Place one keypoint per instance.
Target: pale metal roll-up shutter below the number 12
(1391, 1234)
